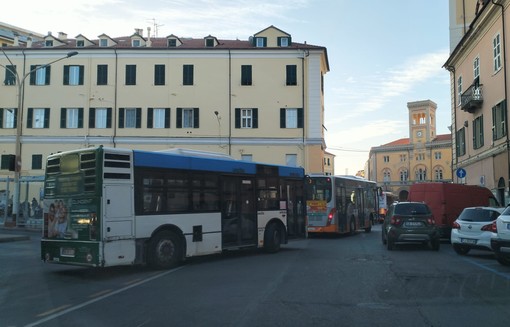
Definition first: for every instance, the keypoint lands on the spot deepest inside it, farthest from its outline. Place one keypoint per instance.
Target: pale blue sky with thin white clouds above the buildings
(382, 54)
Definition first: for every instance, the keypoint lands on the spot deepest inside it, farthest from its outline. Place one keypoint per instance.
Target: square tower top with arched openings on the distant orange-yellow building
(422, 121)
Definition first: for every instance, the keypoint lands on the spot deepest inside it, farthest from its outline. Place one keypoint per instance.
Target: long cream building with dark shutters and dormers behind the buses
(260, 99)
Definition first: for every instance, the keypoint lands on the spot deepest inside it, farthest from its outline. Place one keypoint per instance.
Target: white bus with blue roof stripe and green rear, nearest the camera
(110, 206)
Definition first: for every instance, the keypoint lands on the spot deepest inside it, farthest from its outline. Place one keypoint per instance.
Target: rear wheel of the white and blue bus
(165, 250)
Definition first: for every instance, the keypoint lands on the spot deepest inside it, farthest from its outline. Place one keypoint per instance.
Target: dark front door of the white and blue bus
(295, 210)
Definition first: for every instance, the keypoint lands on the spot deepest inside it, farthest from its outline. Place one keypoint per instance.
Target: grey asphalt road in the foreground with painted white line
(332, 281)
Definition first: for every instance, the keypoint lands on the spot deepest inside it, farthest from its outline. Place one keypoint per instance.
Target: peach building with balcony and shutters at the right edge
(479, 89)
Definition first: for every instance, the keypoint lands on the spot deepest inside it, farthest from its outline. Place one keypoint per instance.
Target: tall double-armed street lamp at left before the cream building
(19, 123)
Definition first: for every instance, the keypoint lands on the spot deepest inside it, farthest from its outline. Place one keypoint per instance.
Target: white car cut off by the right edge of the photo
(500, 242)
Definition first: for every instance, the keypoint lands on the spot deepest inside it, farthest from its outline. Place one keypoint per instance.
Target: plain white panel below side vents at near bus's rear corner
(118, 224)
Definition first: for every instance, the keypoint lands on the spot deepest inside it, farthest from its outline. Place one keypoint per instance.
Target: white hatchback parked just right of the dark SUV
(473, 229)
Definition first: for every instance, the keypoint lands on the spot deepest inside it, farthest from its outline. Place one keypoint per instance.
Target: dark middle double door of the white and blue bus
(238, 211)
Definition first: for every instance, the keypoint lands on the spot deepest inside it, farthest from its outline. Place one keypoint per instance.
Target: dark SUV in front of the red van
(410, 222)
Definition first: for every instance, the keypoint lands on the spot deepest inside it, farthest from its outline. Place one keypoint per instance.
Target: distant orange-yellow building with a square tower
(422, 157)
